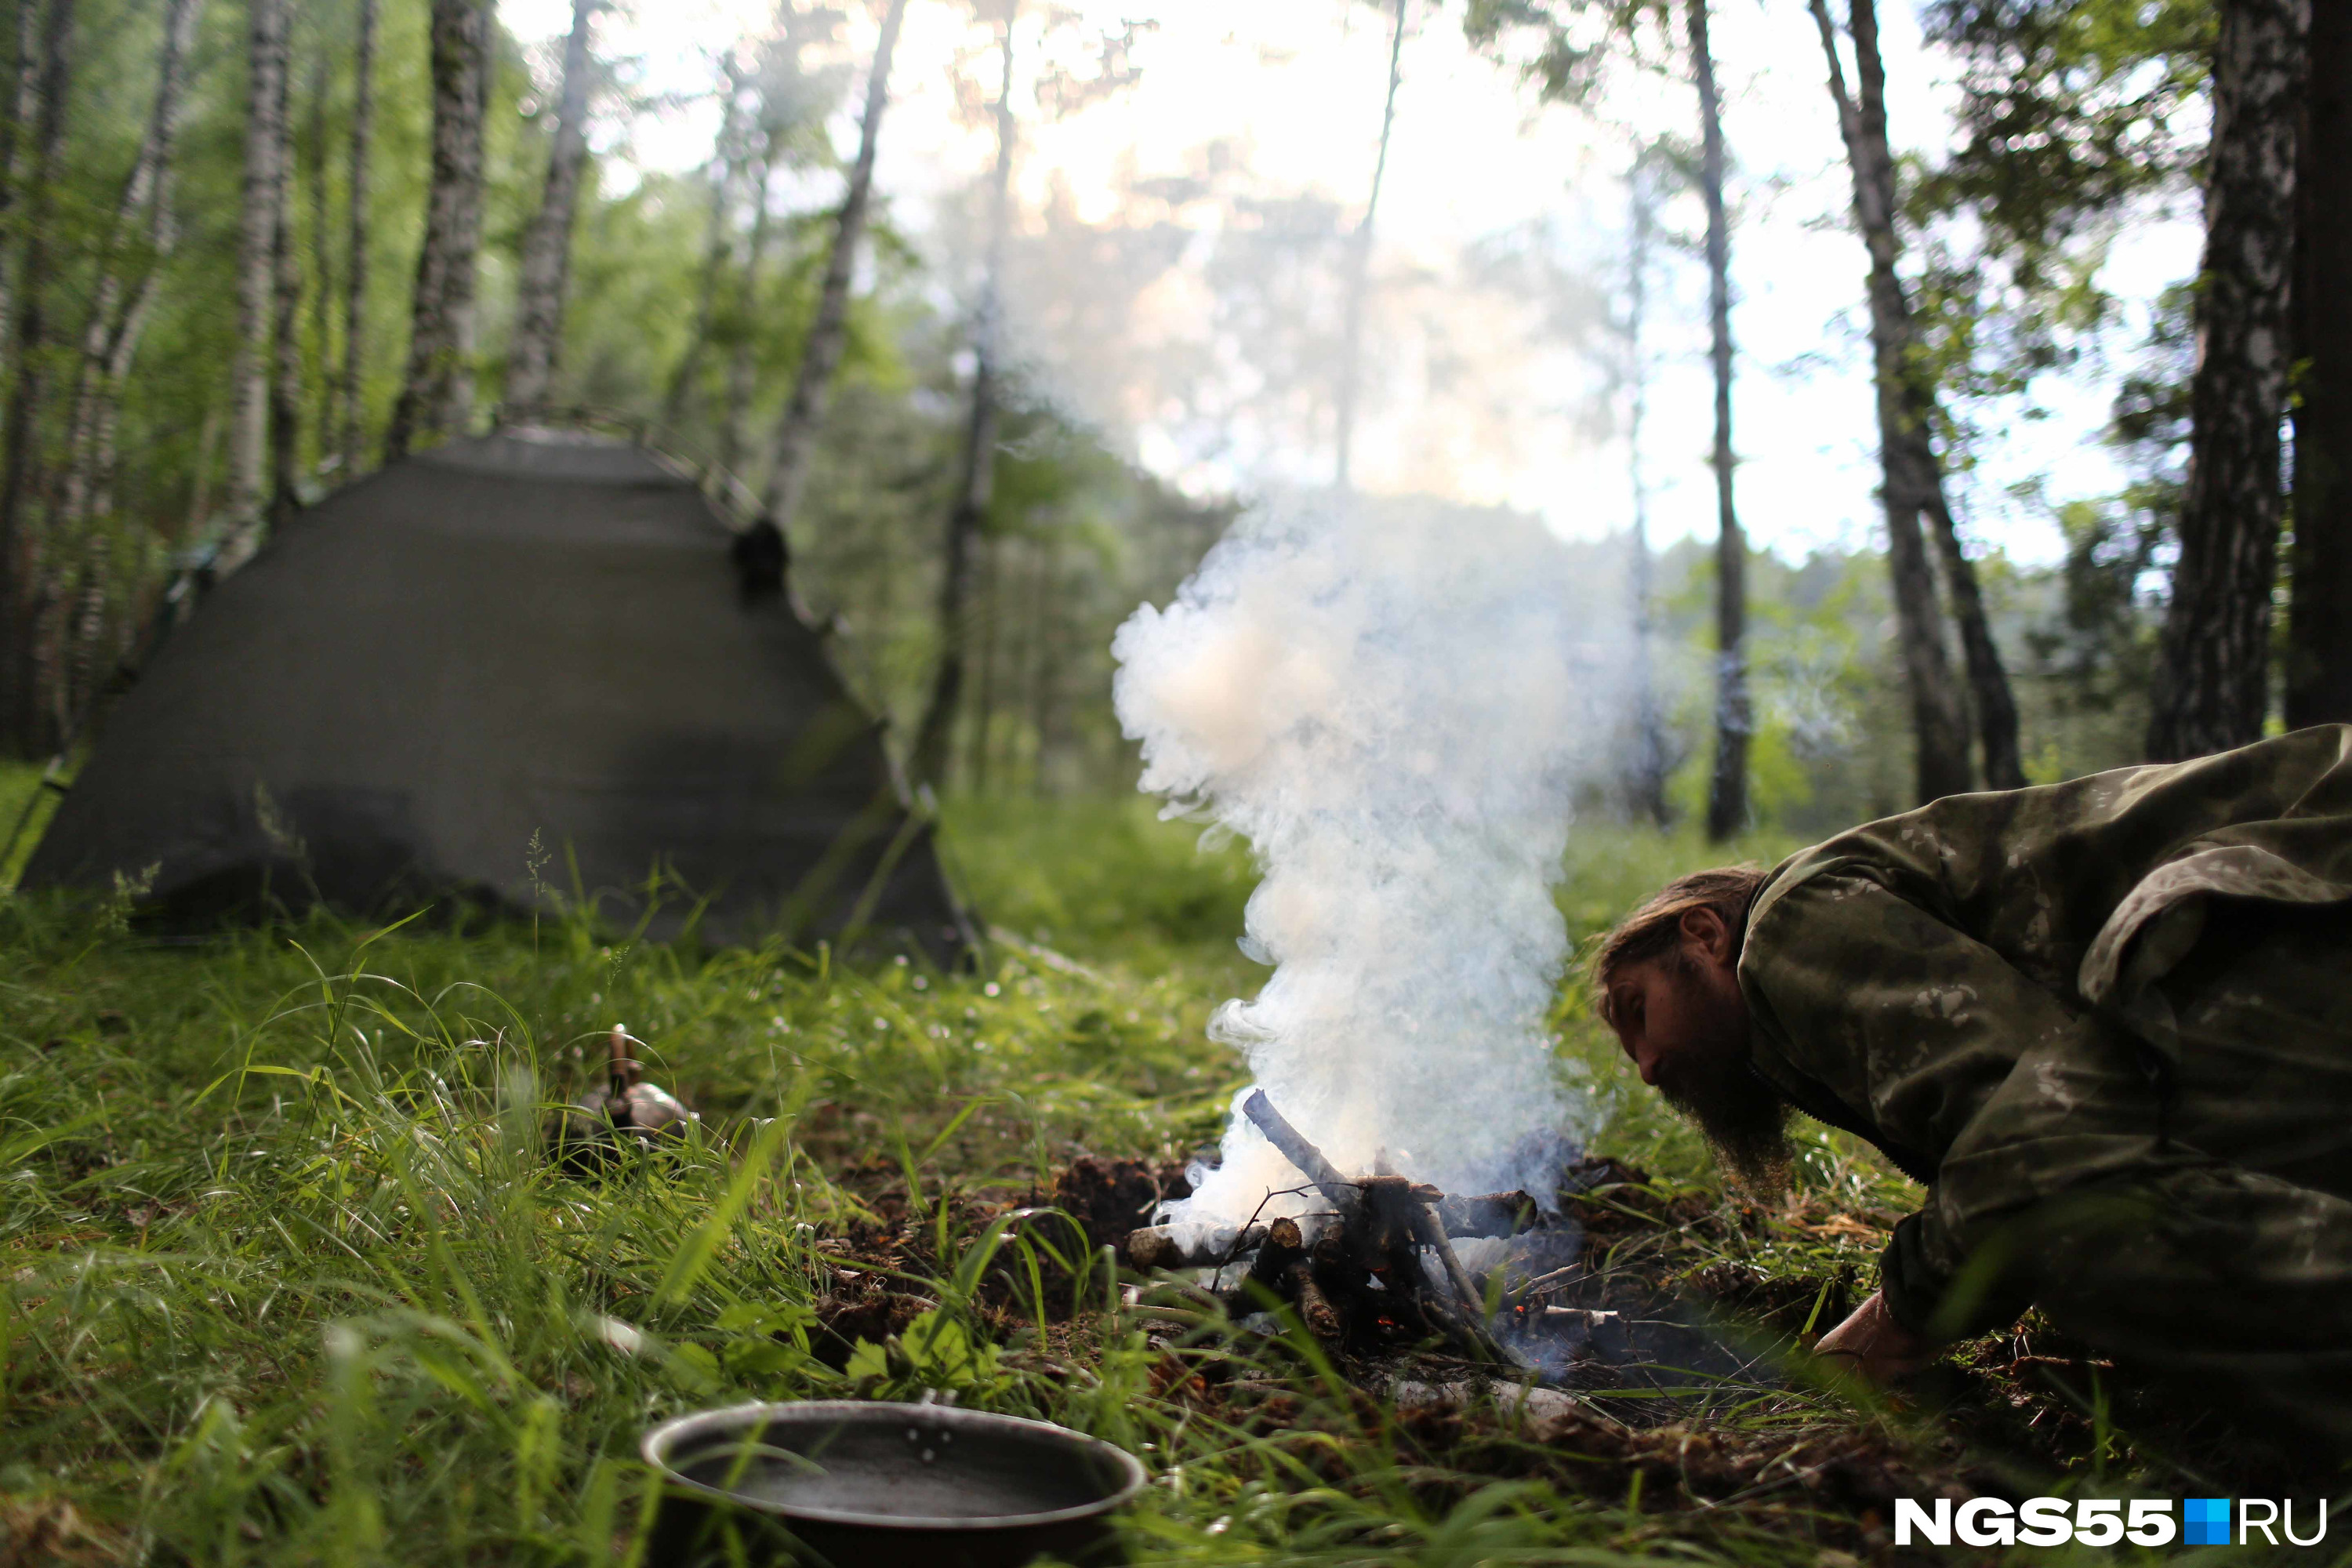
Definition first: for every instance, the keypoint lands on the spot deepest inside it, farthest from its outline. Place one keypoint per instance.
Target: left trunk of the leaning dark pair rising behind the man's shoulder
(1911, 478)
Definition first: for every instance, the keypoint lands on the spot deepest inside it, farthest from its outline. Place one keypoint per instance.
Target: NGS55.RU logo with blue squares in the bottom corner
(2106, 1522)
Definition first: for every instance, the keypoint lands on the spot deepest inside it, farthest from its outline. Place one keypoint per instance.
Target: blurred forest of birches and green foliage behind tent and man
(255, 250)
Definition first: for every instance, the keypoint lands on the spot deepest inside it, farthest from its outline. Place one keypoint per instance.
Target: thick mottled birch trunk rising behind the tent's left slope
(436, 394)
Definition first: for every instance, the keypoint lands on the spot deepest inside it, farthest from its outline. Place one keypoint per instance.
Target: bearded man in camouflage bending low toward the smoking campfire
(2109, 1024)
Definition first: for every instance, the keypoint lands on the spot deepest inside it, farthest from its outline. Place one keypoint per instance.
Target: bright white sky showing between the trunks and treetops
(1469, 394)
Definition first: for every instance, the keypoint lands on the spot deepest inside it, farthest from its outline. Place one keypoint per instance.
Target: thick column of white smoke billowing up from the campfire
(1391, 702)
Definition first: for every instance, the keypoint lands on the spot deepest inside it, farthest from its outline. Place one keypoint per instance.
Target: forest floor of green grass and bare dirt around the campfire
(293, 1282)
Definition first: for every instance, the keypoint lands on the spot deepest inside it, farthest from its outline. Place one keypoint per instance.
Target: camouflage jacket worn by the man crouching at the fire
(1949, 981)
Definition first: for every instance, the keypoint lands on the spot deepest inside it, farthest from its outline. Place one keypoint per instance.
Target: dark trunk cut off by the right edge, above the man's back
(2320, 615)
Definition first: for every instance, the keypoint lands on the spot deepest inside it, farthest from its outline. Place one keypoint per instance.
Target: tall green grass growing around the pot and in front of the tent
(288, 1278)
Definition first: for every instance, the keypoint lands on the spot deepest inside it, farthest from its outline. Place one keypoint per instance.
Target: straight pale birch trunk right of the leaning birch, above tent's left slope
(258, 274)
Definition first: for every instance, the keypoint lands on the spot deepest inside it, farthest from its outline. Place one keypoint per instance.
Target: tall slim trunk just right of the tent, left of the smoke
(930, 763)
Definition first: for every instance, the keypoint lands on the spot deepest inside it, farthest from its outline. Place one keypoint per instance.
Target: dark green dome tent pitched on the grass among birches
(512, 671)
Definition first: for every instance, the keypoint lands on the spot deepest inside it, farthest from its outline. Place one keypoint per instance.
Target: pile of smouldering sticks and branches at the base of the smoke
(1379, 1266)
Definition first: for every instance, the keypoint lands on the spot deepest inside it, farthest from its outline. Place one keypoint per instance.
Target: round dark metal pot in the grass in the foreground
(883, 1485)
